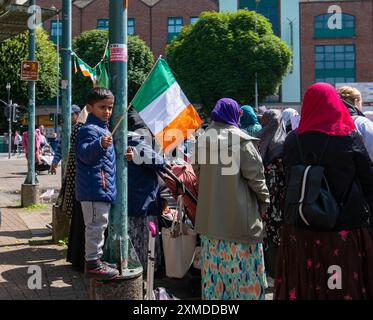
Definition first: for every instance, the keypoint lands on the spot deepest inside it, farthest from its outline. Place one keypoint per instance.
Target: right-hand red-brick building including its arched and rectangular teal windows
(336, 53)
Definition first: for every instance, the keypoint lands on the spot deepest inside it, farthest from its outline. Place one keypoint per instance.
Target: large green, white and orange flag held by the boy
(164, 108)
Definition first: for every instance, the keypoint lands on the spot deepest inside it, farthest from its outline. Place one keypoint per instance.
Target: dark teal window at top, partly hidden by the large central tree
(268, 8)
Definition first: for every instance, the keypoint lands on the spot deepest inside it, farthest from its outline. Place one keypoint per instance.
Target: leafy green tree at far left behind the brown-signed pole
(12, 52)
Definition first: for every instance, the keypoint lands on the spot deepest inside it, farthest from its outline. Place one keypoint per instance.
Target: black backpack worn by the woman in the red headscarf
(309, 202)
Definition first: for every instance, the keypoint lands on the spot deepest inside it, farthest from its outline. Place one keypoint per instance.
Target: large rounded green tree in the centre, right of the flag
(219, 55)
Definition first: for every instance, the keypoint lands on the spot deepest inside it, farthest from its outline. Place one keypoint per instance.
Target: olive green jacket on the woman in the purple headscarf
(232, 194)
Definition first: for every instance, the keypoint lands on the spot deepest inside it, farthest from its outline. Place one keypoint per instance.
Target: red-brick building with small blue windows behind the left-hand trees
(154, 21)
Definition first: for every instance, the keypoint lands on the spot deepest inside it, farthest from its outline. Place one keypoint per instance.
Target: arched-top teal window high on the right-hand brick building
(322, 30)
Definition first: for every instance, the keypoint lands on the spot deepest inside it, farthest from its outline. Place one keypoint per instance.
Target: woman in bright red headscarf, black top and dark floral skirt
(327, 137)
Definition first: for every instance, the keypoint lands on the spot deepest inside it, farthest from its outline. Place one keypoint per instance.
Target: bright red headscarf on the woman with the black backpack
(324, 111)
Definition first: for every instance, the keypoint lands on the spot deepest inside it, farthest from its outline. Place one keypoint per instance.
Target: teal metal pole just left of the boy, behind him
(66, 80)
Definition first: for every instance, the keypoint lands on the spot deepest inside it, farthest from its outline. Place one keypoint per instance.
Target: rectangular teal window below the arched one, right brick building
(335, 63)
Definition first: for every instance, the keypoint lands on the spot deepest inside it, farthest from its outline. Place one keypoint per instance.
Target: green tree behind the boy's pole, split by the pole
(90, 46)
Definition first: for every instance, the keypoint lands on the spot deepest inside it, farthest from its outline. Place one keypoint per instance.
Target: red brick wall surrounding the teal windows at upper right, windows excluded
(363, 12)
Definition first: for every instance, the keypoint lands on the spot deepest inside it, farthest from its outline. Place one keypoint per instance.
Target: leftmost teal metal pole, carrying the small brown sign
(30, 178)
